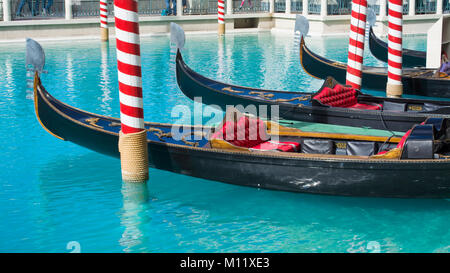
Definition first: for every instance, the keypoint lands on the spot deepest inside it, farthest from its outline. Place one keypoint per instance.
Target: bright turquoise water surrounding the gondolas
(54, 192)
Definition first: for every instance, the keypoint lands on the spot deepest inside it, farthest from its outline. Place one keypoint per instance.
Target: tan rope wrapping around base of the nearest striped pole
(134, 156)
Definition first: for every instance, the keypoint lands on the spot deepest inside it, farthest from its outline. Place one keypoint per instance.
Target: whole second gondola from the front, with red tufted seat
(395, 114)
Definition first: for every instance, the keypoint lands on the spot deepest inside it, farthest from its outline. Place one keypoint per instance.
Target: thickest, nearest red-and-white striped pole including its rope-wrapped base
(133, 136)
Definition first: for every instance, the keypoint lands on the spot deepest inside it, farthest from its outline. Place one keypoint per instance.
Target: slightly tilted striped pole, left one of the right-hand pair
(356, 43)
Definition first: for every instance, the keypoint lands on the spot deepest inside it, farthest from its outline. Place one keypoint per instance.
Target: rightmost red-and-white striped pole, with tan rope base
(394, 86)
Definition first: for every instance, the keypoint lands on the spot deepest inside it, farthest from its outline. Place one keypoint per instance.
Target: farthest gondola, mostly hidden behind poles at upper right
(411, 58)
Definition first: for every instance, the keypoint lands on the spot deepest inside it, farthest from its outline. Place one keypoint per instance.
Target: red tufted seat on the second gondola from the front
(342, 96)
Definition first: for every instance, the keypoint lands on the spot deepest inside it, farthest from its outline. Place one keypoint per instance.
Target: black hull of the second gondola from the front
(195, 85)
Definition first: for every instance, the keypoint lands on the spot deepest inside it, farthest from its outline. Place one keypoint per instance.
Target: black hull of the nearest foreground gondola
(317, 175)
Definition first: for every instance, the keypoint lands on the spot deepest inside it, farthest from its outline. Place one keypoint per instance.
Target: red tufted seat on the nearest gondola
(249, 133)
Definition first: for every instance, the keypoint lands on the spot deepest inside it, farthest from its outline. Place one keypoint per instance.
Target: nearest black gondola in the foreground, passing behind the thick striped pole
(415, 166)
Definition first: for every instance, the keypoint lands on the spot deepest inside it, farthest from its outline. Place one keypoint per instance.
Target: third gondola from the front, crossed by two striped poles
(416, 81)
